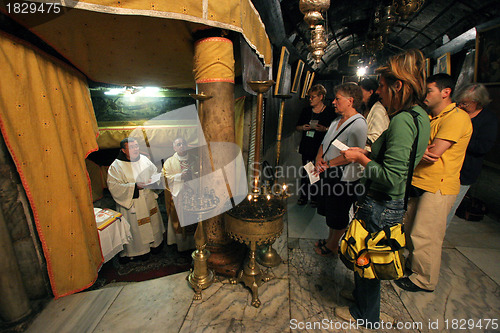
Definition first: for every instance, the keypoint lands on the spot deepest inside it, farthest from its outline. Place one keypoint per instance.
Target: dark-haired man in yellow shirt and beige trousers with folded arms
(437, 181)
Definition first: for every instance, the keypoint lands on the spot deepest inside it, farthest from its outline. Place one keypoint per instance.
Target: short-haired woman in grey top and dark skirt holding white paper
(340, 178)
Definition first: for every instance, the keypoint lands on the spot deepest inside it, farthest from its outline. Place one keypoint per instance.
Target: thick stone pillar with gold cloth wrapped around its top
(214, 76)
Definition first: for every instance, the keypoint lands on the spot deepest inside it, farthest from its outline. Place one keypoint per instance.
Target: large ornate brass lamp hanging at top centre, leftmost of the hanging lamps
(312, 10)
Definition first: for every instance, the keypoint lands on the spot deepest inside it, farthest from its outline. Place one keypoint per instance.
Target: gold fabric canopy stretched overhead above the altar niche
(143, 42)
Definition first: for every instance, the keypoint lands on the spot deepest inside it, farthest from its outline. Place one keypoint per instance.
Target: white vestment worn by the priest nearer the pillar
(183, 237)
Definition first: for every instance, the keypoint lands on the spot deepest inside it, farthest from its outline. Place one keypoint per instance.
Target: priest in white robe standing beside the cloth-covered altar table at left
(128, 178)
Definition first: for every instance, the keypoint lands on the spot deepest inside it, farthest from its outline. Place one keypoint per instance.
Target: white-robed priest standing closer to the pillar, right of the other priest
(178, 169)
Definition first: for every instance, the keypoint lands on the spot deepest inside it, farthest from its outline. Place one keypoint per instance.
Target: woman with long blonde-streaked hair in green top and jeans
(387, 168)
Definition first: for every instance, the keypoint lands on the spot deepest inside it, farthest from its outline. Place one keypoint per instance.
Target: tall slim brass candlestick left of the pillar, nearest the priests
(201, 277)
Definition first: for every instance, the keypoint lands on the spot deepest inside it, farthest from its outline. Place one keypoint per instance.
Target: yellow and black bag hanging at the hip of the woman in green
(374, 255)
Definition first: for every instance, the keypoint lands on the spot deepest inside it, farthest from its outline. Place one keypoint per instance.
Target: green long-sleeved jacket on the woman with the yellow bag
(390, 176)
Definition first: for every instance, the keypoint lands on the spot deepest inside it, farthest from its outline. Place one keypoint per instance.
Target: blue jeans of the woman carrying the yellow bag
(377, 215)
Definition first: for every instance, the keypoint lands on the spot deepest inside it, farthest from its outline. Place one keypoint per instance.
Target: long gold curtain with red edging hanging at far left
(48, 124)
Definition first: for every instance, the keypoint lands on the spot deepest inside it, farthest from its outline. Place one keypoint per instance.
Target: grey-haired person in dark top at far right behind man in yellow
(474, 99)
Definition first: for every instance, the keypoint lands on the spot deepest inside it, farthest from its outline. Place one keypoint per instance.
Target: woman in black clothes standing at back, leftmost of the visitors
(313, 123)
